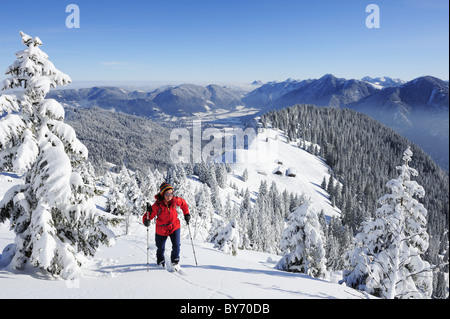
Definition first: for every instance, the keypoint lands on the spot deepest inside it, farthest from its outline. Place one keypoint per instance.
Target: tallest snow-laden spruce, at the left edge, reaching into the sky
(52, 213)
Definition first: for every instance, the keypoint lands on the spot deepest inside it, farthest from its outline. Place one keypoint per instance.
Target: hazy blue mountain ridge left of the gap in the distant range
(181, 100)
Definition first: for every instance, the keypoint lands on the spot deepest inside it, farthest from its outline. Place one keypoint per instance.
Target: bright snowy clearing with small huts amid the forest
(269, 152)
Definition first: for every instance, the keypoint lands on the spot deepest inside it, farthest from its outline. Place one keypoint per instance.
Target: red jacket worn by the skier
(166, 215)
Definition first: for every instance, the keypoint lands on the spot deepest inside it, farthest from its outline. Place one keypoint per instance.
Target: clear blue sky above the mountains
(232, 41)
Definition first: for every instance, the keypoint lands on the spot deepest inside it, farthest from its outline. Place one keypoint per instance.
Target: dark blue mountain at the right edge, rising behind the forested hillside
(418, 110)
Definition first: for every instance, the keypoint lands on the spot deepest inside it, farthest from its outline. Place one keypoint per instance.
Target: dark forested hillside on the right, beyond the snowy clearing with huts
(363, 155)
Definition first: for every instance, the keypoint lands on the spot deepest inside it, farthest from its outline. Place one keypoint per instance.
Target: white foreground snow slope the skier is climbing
(121, 272)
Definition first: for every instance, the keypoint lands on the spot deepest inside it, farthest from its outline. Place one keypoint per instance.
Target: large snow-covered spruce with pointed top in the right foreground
(387, 258)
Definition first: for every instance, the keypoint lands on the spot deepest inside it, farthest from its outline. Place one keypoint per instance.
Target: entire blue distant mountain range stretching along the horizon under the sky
(417, 109)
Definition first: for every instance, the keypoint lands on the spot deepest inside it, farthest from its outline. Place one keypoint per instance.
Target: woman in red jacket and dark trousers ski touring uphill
(167, 222)
